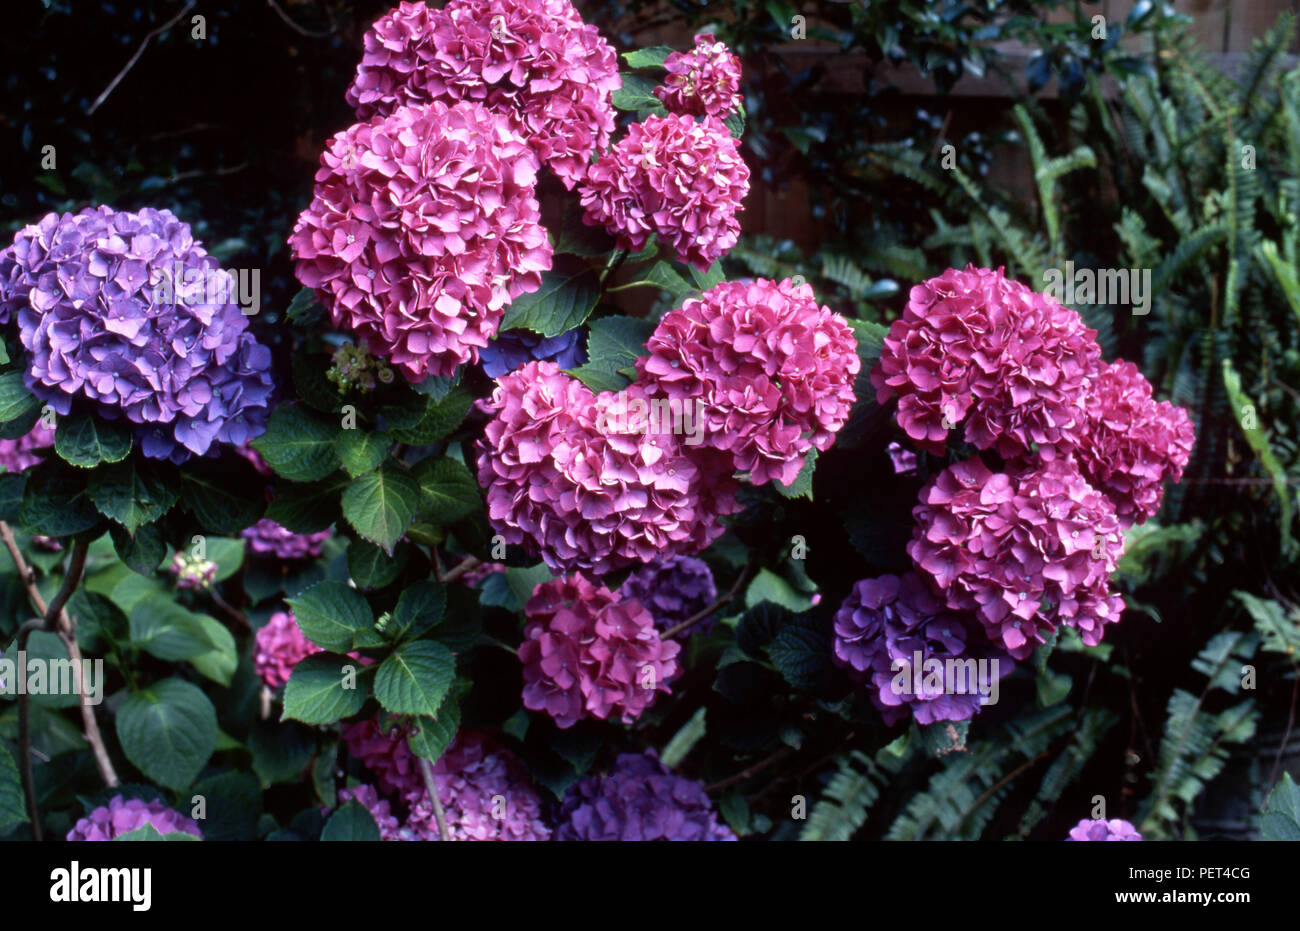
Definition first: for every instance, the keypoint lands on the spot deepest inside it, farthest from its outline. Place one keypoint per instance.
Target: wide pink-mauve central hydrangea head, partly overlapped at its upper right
(569, 473)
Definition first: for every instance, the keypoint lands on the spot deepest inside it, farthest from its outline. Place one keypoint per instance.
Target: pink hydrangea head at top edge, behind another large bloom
(535, 62)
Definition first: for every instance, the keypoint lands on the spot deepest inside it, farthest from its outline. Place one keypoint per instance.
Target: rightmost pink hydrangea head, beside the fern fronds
(1132, 444)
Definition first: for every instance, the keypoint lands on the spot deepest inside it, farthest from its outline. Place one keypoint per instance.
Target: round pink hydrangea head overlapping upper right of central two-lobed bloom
(768, 370)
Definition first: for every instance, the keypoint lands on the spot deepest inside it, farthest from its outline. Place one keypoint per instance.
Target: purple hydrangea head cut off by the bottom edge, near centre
(639, 800)
